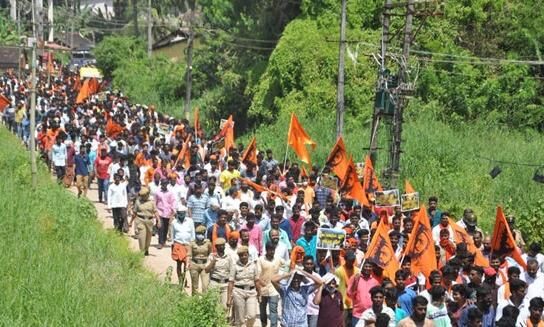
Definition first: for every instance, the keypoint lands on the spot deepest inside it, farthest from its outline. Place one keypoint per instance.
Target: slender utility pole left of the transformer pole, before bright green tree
(340, 109)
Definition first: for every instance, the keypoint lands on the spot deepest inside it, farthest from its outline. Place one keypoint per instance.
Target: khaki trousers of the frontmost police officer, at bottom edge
(245, 306)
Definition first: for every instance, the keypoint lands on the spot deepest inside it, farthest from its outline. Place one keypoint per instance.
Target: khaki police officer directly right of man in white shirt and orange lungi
(199, 251)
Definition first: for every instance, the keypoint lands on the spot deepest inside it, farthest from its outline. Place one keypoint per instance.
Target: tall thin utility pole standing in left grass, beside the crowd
(33, 164)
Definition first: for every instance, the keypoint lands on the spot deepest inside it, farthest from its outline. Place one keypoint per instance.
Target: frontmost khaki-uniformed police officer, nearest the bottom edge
(244, 290)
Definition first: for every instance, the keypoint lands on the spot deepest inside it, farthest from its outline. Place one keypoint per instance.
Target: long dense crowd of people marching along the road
(249, 230)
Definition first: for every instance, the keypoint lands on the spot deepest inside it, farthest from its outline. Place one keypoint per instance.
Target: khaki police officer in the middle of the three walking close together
(219, 267)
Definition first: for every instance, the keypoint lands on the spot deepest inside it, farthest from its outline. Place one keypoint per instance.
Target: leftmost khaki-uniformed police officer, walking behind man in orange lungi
(144, 213)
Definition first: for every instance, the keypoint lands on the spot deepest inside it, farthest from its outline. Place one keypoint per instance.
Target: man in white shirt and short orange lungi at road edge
(183, 233)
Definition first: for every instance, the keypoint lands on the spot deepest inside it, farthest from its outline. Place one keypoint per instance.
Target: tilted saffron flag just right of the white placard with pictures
(381, 252)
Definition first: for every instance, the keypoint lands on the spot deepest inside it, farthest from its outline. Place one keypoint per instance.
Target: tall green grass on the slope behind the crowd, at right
(440, 159)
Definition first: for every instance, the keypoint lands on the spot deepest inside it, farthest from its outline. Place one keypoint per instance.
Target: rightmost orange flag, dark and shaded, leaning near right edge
(502, 242)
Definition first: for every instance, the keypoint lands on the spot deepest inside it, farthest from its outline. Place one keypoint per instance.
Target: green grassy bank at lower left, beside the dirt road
(60, 268)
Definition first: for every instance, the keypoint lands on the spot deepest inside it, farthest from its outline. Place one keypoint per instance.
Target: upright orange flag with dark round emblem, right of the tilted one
(420, 247)
